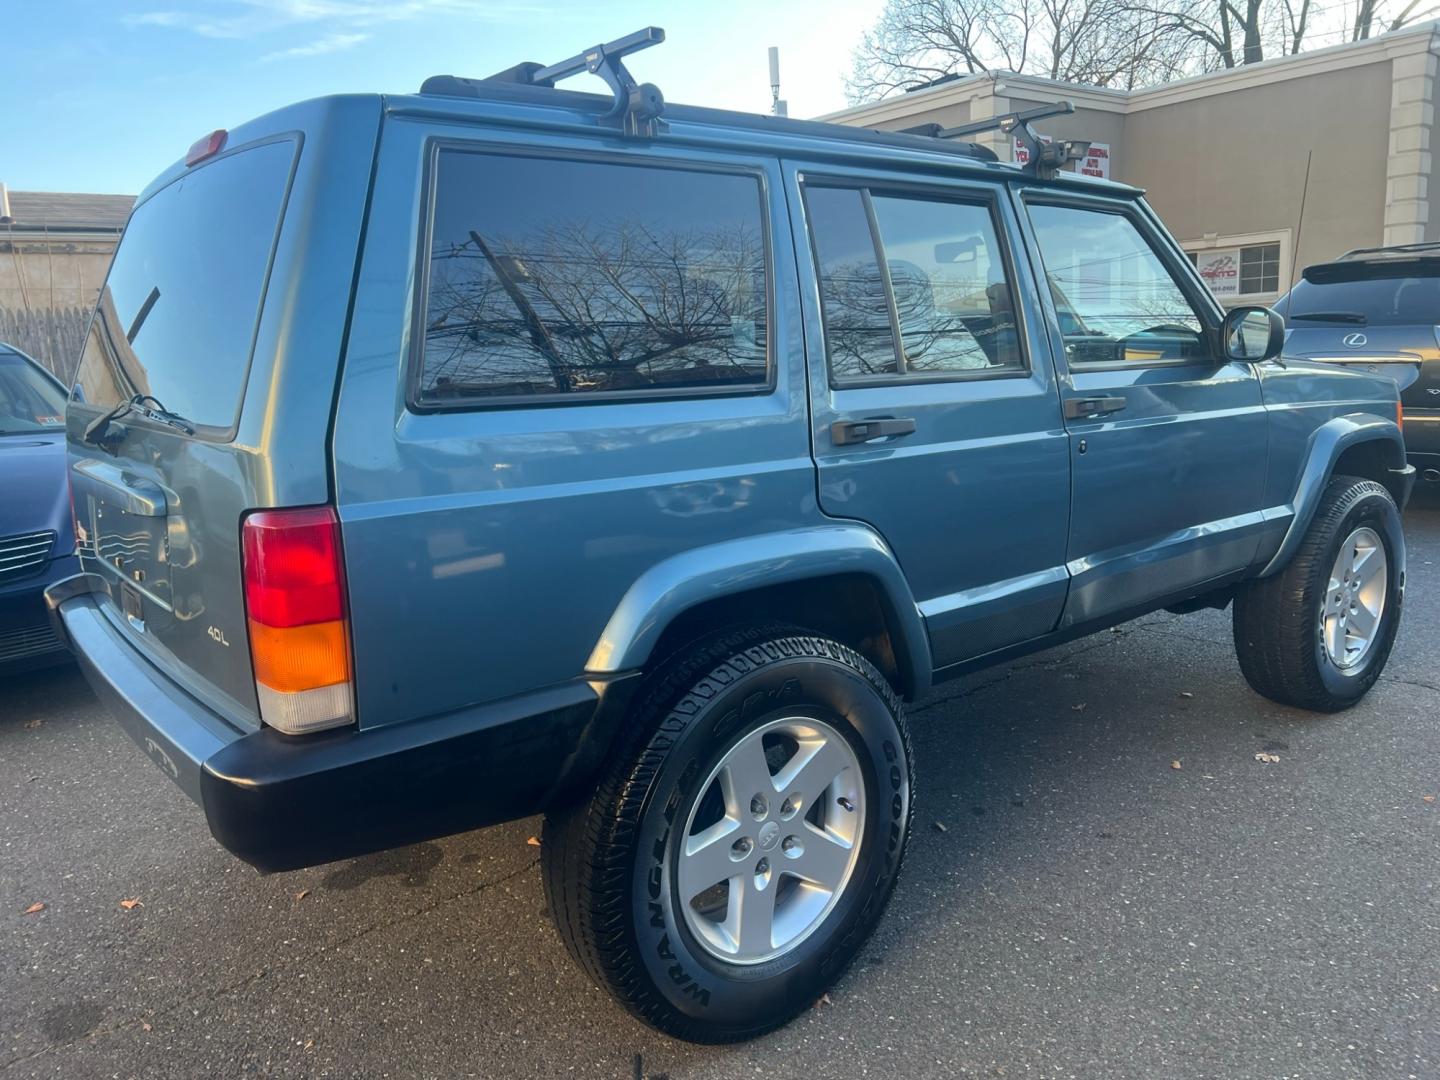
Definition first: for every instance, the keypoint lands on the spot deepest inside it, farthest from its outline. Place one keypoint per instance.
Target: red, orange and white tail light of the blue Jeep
(299, 629)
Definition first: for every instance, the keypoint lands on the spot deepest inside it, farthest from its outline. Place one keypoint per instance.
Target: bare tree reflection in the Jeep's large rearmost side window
(595, 306)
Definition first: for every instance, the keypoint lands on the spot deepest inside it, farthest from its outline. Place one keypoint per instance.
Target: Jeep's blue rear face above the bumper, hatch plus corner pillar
(217, 345)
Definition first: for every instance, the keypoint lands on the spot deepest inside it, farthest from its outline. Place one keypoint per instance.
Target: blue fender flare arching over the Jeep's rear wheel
(685, 581)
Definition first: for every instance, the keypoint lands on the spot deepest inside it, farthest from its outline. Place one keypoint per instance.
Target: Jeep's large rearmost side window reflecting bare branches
(591, 280)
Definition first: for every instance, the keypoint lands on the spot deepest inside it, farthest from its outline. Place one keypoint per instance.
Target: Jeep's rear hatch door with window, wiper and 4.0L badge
(159, 492)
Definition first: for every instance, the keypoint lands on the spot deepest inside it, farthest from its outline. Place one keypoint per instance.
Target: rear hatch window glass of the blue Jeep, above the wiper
(176, 319)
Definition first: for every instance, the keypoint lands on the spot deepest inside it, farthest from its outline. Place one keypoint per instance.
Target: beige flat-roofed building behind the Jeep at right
(1225, 158)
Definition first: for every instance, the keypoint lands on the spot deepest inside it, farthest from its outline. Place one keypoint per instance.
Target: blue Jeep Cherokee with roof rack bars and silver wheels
(454, 457)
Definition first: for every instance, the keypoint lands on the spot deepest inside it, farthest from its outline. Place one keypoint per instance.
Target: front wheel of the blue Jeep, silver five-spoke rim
(1318, 634)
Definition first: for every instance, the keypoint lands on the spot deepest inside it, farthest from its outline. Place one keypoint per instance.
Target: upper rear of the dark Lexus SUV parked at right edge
(1380, 313)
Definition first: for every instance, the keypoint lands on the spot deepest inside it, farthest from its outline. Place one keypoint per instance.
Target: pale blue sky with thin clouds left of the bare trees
(100, 97)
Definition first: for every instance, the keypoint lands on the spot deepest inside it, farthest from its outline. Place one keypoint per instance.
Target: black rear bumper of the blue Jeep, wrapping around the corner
(283, 803)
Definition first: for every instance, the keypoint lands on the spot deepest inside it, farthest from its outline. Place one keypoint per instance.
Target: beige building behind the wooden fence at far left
(55, 250)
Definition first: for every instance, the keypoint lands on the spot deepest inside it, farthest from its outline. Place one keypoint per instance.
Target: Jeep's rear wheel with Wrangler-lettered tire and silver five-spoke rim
(745, 839)
